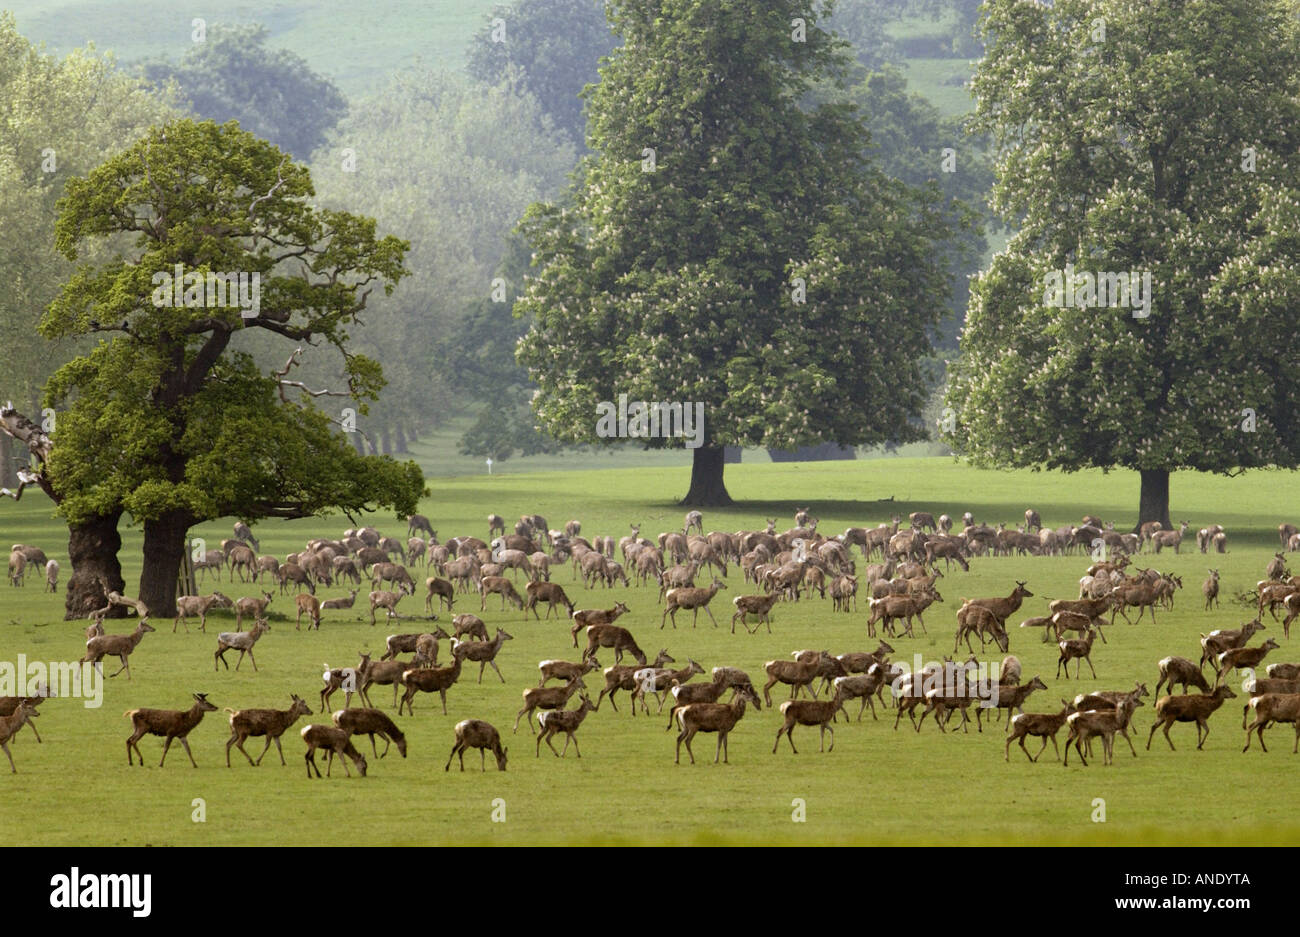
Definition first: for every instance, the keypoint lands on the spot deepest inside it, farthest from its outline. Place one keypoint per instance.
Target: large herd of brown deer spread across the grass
(785, 567)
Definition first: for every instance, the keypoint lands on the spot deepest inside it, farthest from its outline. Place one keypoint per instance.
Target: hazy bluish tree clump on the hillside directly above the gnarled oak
(232, 76)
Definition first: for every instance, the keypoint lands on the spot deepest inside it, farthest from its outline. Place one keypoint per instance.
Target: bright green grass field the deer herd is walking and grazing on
(877, 787)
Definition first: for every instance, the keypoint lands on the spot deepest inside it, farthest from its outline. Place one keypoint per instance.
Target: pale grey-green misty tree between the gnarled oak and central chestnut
(449, 166)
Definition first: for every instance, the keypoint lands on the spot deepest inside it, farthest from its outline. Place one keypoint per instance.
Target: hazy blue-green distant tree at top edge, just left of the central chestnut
(553, 46)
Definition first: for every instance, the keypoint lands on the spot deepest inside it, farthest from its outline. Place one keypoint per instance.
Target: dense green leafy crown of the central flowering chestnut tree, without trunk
(677, 284)
